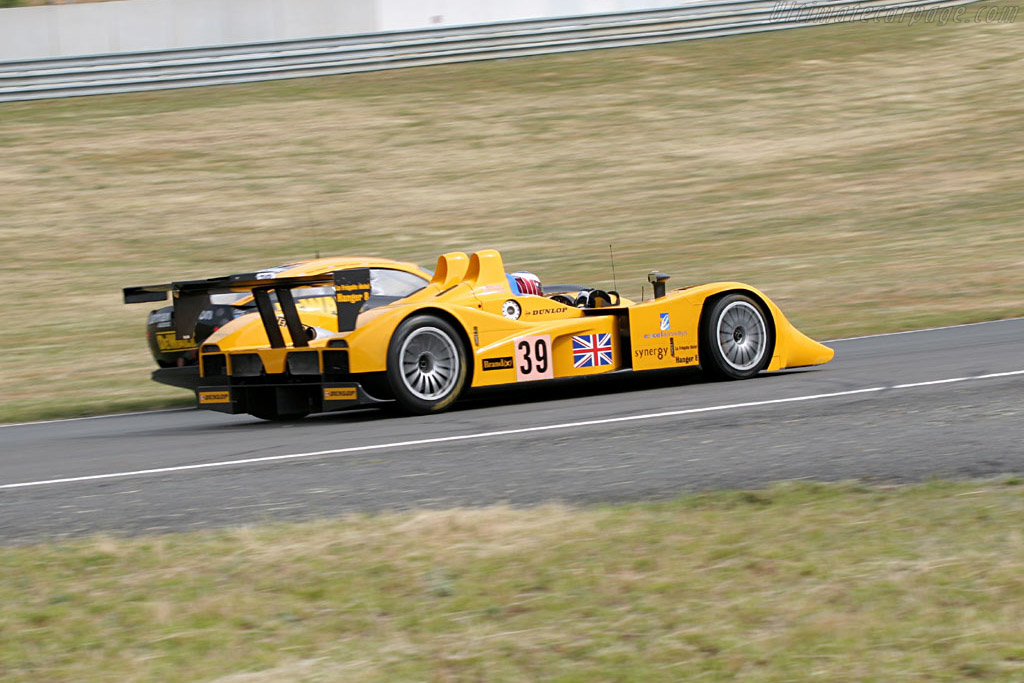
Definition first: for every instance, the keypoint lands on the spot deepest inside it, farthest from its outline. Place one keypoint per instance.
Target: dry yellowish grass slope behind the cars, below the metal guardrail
(867, 177)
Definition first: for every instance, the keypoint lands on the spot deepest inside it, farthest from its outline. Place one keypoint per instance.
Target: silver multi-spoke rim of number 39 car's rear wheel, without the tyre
(430, 364)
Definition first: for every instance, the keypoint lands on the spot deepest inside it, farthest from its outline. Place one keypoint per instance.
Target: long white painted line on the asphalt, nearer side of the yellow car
(502, 433)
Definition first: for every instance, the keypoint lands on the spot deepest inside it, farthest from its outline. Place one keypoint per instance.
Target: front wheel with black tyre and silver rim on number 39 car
(737, 339)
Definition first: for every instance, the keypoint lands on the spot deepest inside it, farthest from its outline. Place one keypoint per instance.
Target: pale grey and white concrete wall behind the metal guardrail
(139, 26)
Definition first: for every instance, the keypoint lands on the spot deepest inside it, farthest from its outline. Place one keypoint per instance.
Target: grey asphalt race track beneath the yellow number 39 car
(909, 407)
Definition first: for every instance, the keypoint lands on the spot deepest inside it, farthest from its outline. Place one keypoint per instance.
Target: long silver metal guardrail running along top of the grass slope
(106, 74)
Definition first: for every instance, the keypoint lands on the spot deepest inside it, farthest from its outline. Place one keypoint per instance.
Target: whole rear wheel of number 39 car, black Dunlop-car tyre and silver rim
(428, 365)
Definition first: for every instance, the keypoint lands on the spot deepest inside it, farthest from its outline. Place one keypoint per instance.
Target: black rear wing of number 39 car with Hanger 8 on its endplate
(352, 288)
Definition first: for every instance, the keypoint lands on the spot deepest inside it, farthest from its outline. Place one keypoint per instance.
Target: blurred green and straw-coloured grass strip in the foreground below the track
(798, 582)
